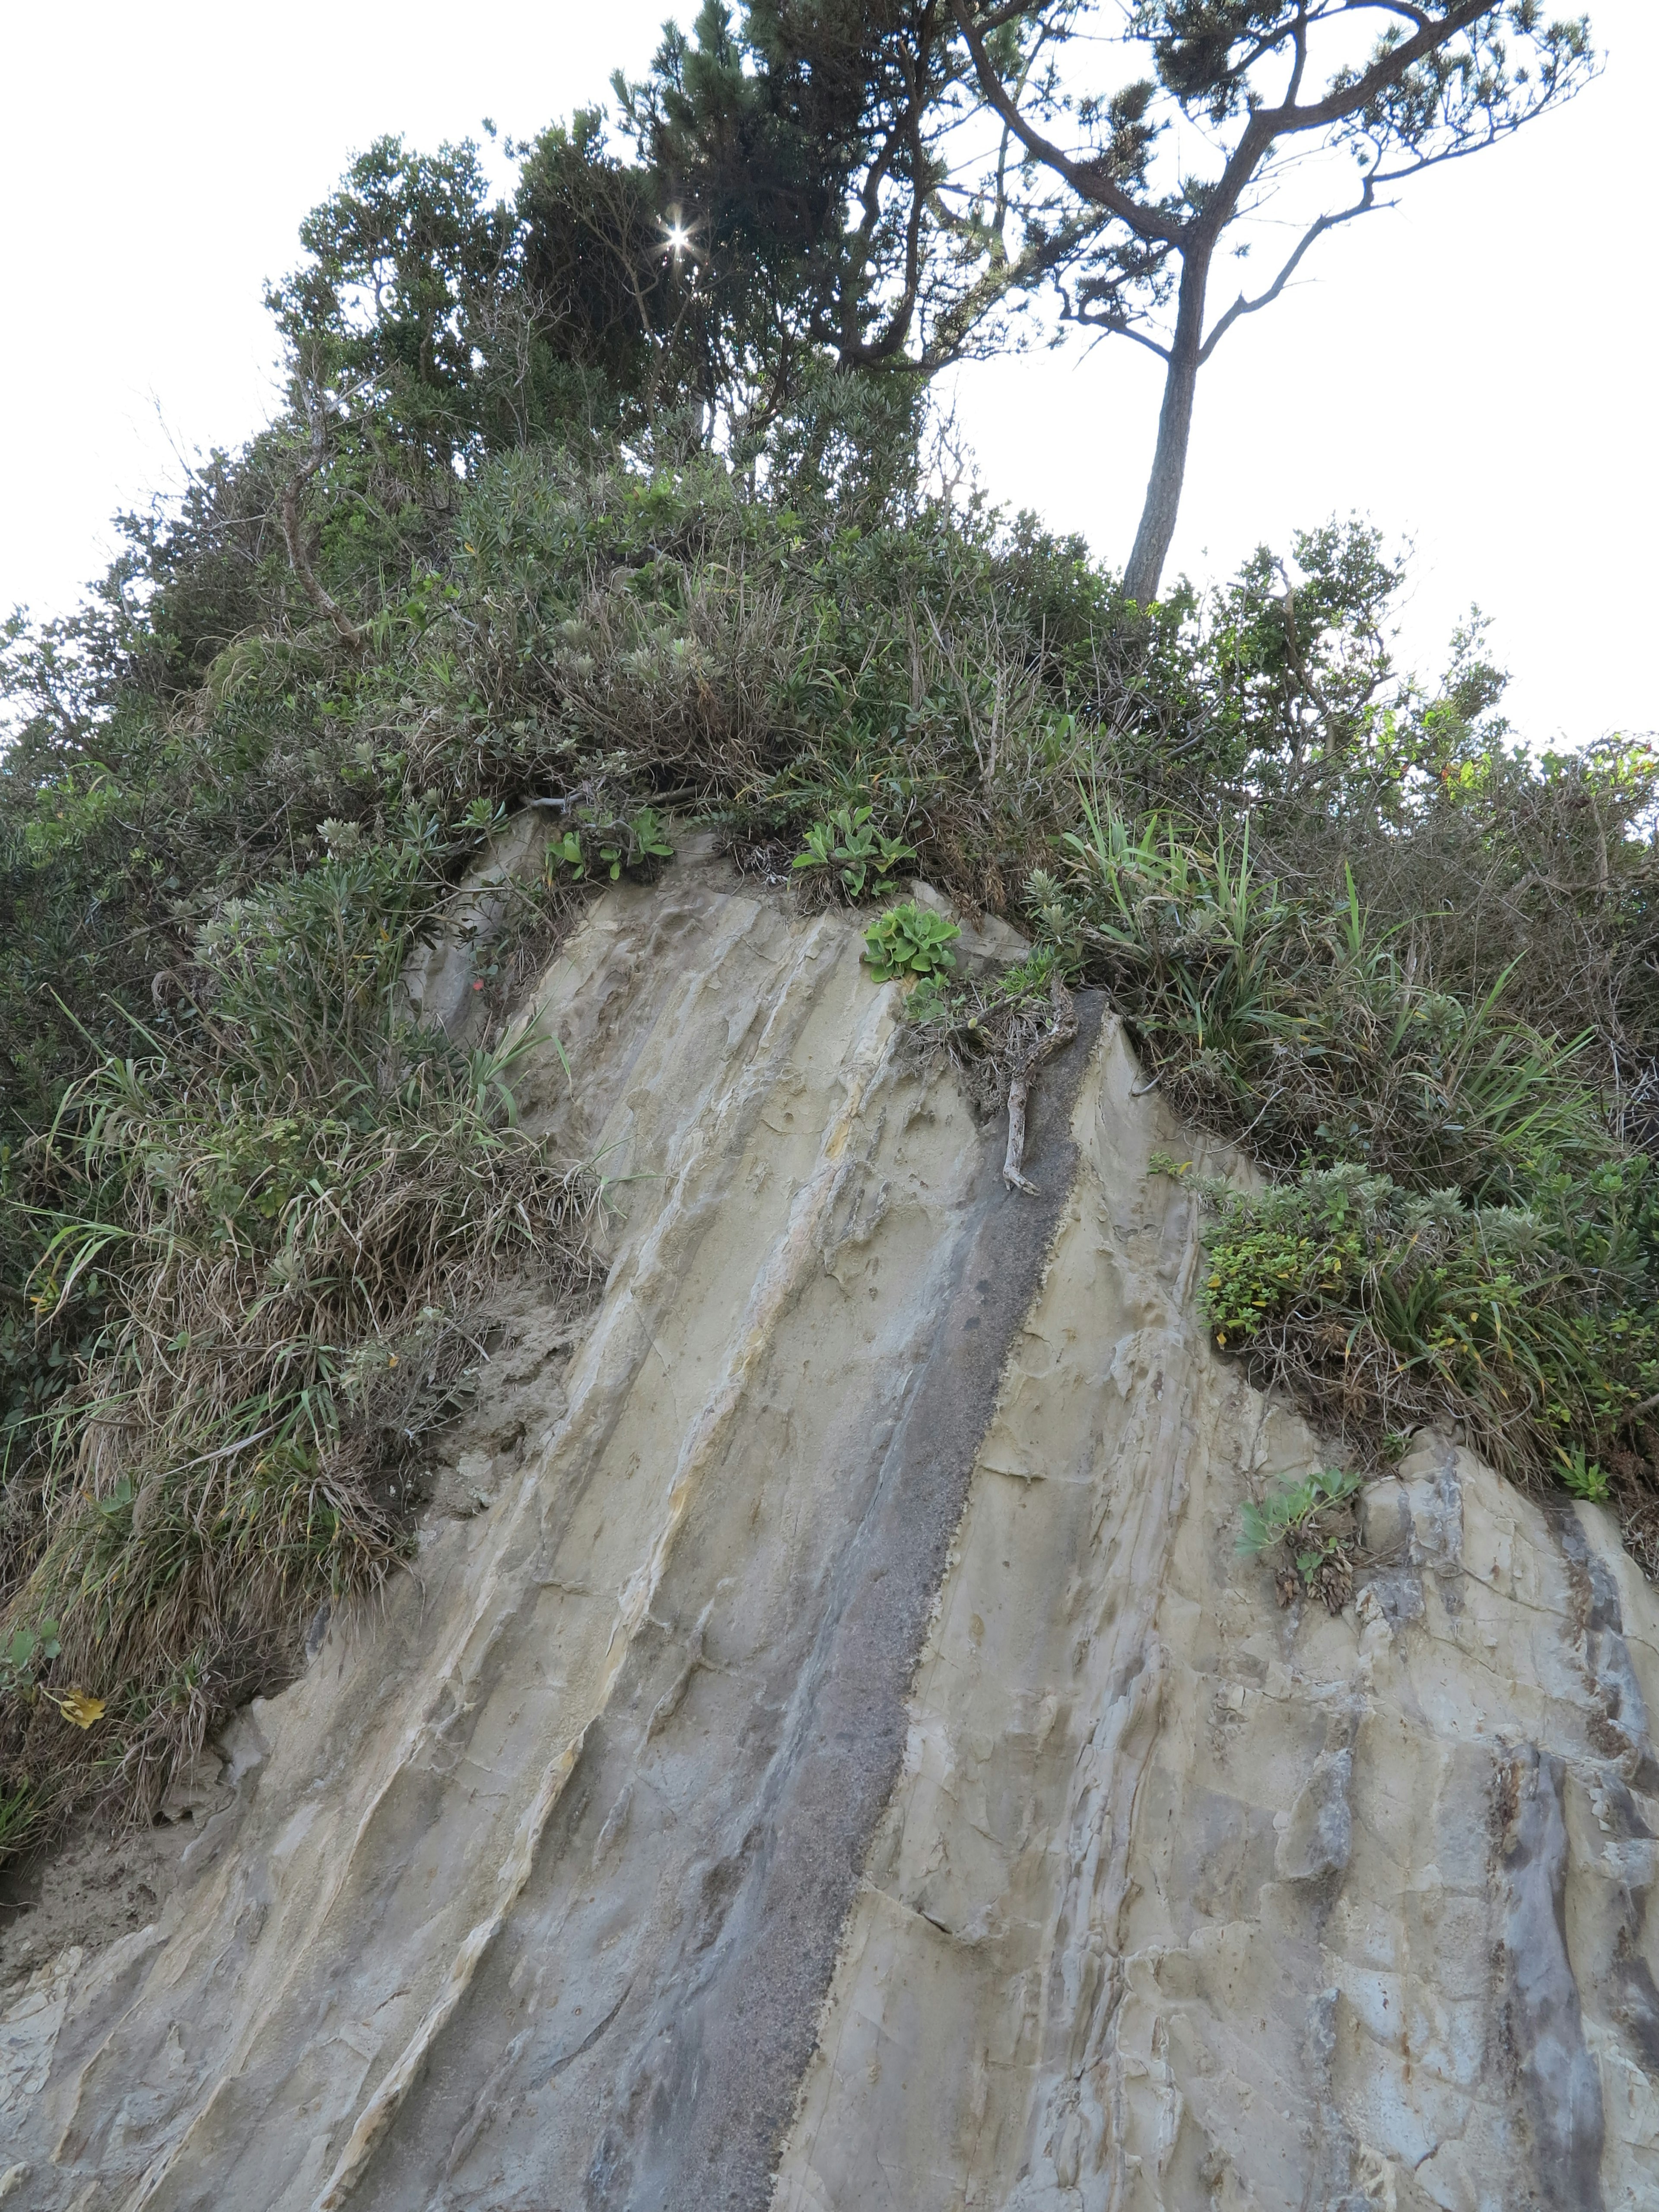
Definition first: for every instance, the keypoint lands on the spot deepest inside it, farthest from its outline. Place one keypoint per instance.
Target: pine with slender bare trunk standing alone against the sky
(1264, 83)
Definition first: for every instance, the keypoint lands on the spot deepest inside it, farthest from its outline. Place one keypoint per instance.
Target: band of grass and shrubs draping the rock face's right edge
(1454, 1235)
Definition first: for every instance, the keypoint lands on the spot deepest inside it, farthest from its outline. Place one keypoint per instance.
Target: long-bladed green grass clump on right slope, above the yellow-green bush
(1286, 1016)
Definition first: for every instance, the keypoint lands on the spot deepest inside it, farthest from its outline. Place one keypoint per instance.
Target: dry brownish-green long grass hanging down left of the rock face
(295, 1273)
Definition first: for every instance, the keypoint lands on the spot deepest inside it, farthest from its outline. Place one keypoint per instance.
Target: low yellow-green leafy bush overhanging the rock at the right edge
(1532, 1324)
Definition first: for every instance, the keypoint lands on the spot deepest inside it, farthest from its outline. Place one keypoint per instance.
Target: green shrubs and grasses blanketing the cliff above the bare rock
(255, 1218)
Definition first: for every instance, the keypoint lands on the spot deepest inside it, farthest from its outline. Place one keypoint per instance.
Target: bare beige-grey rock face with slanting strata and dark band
(831, 1755)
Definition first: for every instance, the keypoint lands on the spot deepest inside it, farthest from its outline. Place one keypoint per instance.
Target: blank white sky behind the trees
(1472, 371)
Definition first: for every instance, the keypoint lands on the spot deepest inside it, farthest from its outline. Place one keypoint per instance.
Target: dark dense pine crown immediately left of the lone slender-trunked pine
(804, 158)
